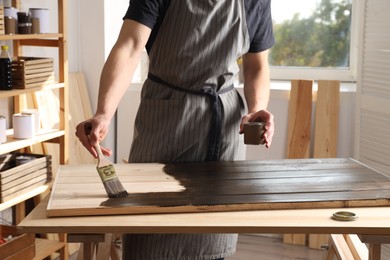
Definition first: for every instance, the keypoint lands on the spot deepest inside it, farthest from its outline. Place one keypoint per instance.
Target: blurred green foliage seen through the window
(321, 40)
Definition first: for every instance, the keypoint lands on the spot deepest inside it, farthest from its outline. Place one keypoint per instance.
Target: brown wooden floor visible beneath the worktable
(263, 247)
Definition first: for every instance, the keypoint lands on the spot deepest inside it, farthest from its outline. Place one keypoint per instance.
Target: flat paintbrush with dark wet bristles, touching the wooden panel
(107, 173)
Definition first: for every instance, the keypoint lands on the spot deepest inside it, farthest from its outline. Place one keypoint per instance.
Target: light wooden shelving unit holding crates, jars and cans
(59, 135)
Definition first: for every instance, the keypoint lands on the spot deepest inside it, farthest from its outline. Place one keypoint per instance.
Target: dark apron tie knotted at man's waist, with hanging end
(216, 108)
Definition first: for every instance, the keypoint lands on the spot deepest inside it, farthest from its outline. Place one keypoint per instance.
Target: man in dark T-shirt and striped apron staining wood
(189, 109)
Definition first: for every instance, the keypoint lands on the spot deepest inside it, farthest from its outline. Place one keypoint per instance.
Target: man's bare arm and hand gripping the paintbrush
(115, 79)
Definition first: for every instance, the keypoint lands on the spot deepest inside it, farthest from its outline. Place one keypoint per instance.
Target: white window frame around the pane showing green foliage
(345, 75)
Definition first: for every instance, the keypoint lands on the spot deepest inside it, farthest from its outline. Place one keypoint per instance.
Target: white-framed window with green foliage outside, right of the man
(315, 39)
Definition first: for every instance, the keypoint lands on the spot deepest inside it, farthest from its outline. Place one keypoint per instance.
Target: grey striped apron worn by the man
(189, 110)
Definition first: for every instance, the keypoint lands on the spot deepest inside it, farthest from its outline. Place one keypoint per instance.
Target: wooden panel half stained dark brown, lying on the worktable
(220, 186)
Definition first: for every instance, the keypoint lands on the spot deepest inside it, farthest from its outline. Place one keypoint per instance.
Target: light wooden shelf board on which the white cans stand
(16, 144)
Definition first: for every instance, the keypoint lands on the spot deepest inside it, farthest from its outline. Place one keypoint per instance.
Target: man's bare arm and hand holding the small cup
(257, 91)
